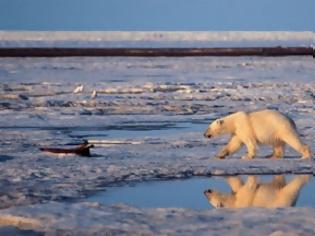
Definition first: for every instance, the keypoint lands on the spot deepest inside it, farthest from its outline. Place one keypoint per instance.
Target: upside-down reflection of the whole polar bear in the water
(253, 193)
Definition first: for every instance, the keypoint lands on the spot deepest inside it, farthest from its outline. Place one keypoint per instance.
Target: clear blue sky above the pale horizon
(168, 15)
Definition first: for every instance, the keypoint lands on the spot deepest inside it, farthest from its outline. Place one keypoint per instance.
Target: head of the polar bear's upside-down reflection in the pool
(219, 199)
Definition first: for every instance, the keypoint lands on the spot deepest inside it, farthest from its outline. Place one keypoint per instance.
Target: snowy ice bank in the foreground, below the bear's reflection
(95, 219)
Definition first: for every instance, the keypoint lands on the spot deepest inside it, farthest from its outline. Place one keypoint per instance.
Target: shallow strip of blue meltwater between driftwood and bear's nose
(100, 133)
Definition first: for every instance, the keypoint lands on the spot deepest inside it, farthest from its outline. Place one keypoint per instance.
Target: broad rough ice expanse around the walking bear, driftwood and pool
(155, 110)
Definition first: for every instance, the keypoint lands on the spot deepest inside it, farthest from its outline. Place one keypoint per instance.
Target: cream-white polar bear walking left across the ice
(259, 127)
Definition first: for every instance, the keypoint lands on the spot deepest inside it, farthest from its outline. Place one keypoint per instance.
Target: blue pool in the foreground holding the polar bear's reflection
(206, 193)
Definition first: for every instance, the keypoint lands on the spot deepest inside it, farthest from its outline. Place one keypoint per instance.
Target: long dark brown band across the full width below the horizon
(156, 52)
